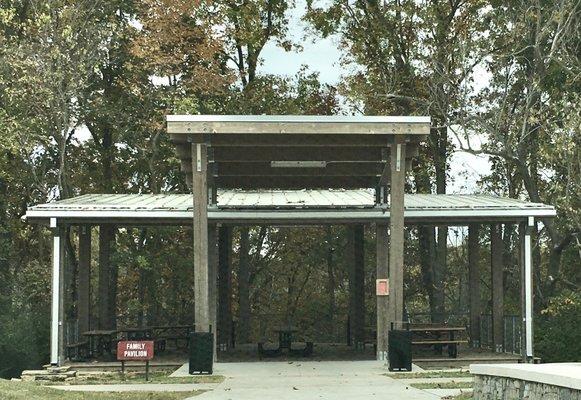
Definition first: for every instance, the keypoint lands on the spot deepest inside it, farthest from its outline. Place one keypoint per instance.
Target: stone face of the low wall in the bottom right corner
(502, 388)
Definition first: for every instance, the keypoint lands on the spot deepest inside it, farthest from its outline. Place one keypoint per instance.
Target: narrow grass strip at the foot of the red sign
(139, 377)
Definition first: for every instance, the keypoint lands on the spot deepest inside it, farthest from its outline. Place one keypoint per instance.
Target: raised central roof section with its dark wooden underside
(294, 152)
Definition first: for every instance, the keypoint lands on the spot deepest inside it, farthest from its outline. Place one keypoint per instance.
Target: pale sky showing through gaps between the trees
(323, 56)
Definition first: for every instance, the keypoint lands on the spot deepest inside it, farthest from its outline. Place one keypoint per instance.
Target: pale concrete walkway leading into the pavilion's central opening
(333, 380)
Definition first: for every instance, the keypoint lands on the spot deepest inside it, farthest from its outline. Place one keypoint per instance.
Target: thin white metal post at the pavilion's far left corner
(55, 317)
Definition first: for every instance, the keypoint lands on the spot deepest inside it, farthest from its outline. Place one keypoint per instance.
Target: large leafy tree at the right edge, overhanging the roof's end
(528, 114)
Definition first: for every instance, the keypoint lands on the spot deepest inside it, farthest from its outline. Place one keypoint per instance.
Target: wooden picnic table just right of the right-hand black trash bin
(438, 335)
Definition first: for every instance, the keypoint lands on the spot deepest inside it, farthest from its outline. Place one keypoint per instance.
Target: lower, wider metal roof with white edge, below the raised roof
(285, 206)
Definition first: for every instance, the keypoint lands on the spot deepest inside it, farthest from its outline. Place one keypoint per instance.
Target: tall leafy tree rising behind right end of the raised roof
(411, 59)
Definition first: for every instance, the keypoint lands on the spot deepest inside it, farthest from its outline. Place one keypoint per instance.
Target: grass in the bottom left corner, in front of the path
(32, 391)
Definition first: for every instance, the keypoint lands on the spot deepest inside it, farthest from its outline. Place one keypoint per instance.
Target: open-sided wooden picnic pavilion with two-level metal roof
(297, 170)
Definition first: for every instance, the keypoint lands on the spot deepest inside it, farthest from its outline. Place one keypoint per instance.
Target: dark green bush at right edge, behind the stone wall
(557, 335)
